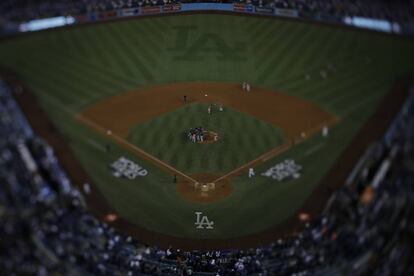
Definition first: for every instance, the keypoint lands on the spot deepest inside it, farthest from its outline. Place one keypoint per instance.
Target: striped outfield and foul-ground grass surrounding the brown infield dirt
(72, 69)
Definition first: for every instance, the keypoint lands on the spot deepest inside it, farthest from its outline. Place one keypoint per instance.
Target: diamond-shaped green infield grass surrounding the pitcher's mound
(164, 138)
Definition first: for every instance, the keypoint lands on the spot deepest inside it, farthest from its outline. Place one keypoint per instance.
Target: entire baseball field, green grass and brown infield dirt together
(117, 90)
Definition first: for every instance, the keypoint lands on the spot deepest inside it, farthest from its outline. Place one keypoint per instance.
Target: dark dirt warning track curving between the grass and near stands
(97, 204)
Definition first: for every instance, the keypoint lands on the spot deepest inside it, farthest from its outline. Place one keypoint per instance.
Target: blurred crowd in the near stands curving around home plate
(367, 226)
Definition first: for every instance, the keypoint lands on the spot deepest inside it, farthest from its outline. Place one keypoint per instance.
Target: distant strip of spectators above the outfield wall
(395, 11)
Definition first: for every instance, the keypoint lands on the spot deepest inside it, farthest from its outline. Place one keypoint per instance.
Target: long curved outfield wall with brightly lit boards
(373, 24)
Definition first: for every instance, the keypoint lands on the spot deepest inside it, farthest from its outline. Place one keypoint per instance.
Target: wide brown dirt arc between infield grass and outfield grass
(120, 113)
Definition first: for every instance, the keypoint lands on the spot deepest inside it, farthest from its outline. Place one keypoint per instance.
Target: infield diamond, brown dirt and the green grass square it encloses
(289, 113)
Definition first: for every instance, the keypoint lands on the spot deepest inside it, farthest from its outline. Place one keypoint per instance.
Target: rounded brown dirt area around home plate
(205, 190)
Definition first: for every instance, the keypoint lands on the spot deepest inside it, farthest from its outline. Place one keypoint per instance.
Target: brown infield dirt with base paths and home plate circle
(299, 119)
